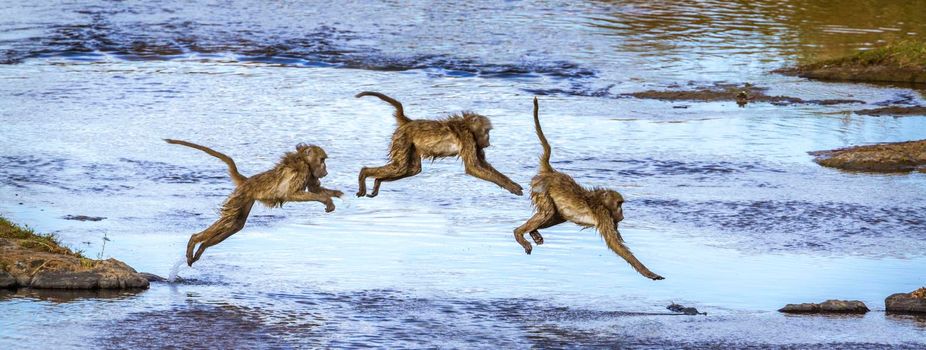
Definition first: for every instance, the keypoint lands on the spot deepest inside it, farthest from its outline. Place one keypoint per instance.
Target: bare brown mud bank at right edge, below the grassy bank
(886, 157)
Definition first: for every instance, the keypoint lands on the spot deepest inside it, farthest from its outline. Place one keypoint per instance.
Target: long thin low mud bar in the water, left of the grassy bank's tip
(741, 94)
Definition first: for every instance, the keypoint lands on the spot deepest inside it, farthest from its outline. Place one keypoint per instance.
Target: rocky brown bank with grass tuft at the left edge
(30, 260)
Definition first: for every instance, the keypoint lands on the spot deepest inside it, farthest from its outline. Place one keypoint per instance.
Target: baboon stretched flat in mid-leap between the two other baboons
(464, 135)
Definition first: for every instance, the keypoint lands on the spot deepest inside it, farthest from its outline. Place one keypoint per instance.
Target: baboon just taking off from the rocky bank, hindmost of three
(295, 178)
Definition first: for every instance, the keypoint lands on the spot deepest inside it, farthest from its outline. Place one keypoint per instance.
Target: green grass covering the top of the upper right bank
(908, 54)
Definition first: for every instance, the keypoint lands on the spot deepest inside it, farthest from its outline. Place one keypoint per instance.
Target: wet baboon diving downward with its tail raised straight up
(557, 198)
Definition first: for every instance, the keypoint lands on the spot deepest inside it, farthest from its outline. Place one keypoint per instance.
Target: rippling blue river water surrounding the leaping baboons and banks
(722, 201)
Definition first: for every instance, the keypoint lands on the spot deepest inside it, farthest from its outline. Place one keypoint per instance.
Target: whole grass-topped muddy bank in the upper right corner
(903, 62)
